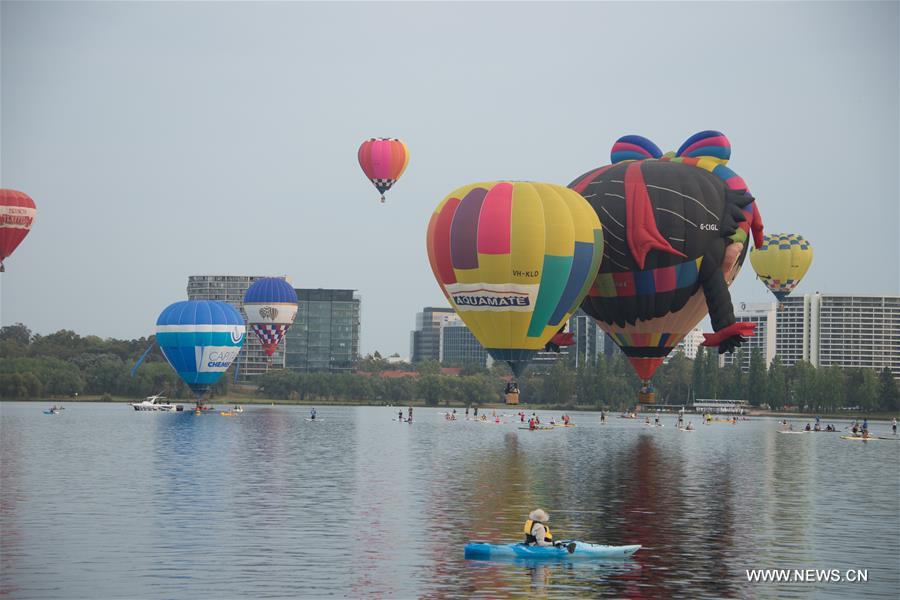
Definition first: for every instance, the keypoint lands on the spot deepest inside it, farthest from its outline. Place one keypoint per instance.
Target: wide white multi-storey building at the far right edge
(845, 330)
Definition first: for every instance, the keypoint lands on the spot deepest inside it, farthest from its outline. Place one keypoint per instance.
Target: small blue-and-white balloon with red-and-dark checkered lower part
(271, 305)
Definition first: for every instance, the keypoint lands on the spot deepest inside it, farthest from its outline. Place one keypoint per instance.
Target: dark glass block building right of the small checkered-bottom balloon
(325, 334)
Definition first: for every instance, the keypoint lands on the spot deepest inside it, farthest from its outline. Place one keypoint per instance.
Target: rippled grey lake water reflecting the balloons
(103, 502)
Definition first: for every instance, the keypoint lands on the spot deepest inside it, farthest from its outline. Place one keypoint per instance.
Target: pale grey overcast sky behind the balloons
(161, 140)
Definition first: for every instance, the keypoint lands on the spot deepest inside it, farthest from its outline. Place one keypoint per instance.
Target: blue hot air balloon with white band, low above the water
(200, 339)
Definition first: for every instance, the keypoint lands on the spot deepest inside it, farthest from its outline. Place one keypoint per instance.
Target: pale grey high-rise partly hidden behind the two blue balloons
(252, 360)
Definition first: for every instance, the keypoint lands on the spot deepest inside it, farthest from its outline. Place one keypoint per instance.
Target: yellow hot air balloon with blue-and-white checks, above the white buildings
(781, 262)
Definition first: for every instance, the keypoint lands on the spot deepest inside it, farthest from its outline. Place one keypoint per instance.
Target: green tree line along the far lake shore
(66, 365)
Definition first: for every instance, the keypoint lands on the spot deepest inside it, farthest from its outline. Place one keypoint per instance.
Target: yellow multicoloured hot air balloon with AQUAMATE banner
(514, 259)
